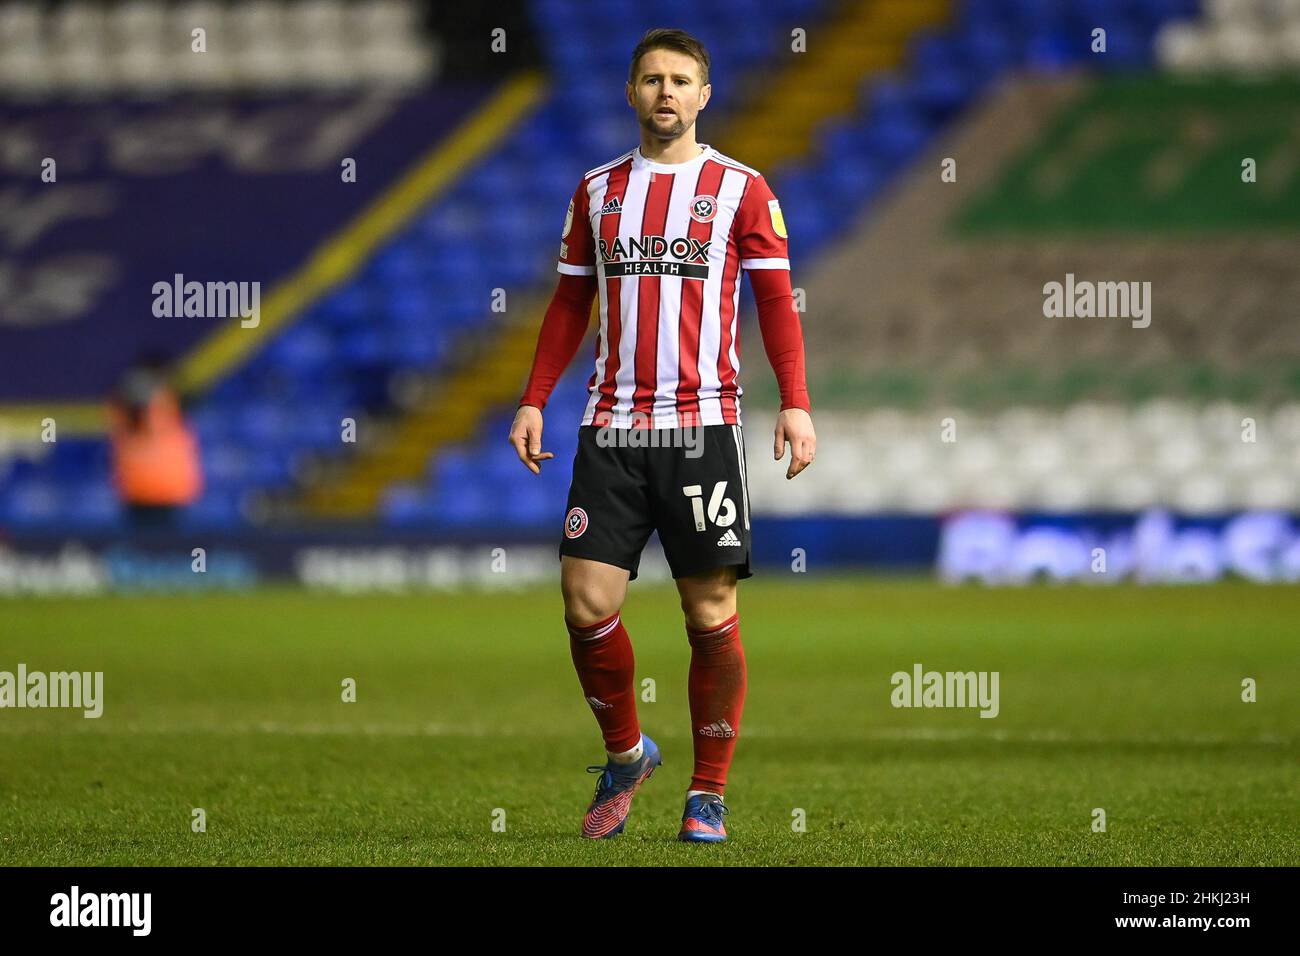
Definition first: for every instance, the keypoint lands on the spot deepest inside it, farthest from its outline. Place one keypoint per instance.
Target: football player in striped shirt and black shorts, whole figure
(661, 235)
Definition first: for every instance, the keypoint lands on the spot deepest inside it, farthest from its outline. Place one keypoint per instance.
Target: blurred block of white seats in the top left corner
(93, 51)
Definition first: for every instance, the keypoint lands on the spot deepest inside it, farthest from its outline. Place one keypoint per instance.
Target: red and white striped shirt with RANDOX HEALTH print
(666, 244)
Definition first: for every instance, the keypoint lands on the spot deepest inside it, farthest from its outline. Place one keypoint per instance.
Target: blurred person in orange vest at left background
(157, 468)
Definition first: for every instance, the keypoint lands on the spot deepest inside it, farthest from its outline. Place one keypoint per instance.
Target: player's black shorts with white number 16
(686, 483)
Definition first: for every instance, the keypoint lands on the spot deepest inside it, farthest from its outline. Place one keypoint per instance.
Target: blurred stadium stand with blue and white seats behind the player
(922, 304)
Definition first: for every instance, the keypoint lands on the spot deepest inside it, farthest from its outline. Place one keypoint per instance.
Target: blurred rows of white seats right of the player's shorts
(1081, 458)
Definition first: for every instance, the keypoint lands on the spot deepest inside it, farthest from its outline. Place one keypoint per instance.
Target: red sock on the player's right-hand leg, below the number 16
(717, 690)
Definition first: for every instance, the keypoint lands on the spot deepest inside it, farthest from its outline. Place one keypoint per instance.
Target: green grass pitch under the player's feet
(469, 712)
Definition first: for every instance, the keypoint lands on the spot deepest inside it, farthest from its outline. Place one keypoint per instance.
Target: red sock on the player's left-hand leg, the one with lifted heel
(603, 656)
